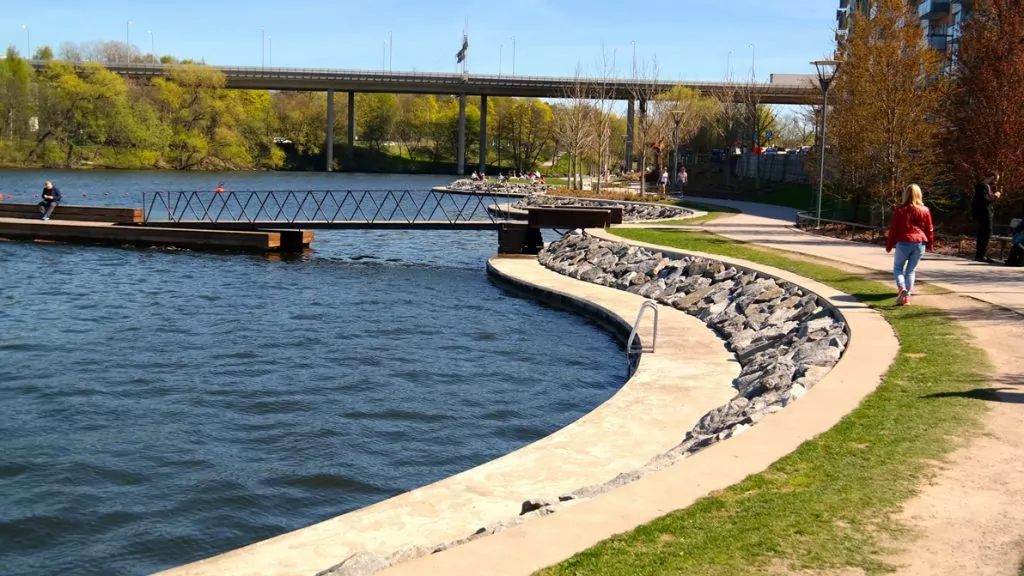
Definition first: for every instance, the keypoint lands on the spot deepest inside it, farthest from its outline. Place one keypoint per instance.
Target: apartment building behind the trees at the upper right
(942, 22)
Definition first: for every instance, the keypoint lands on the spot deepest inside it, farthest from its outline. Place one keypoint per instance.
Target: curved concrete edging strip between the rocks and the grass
(544, 542)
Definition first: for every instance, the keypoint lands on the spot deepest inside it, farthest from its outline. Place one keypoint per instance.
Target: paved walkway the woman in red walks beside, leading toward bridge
(774, 227)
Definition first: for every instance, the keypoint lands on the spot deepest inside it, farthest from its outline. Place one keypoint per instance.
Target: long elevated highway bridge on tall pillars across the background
(789, 90)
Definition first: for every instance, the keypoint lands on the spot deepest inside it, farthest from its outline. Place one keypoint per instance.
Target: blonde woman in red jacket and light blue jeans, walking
(911, 233)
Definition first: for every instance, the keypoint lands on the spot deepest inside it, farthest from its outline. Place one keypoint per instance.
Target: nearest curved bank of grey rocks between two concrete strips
(785, 339)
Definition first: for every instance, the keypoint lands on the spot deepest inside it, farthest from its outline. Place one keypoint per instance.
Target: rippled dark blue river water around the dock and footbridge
(162, 406)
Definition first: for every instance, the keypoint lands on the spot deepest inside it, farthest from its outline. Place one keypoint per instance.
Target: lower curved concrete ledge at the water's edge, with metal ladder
(691, 375)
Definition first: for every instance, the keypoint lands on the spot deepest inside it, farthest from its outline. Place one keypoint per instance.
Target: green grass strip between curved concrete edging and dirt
(831, 504)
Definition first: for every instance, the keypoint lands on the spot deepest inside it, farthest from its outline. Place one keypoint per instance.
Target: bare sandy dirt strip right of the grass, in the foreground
(968, 520)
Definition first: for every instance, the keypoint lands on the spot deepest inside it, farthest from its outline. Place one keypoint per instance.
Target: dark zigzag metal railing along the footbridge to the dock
(325, 207)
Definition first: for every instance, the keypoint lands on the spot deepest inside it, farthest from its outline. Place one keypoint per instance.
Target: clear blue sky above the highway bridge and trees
(692, 39)
